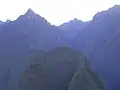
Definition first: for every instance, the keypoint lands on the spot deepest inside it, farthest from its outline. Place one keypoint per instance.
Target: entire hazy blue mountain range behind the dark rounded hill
(31, 35)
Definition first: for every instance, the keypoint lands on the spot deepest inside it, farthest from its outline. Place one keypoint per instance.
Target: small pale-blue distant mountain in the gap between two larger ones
(72, 28)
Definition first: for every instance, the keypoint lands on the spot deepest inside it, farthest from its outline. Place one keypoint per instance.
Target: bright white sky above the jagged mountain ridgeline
(55, 11)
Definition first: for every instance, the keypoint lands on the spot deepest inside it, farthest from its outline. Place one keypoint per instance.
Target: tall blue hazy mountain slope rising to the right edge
(99, 40)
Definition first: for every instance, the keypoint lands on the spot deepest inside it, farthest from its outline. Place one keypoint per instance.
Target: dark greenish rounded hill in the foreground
(60, 68)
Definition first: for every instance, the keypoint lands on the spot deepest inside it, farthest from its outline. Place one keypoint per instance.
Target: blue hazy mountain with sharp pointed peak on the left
(20, 40)
